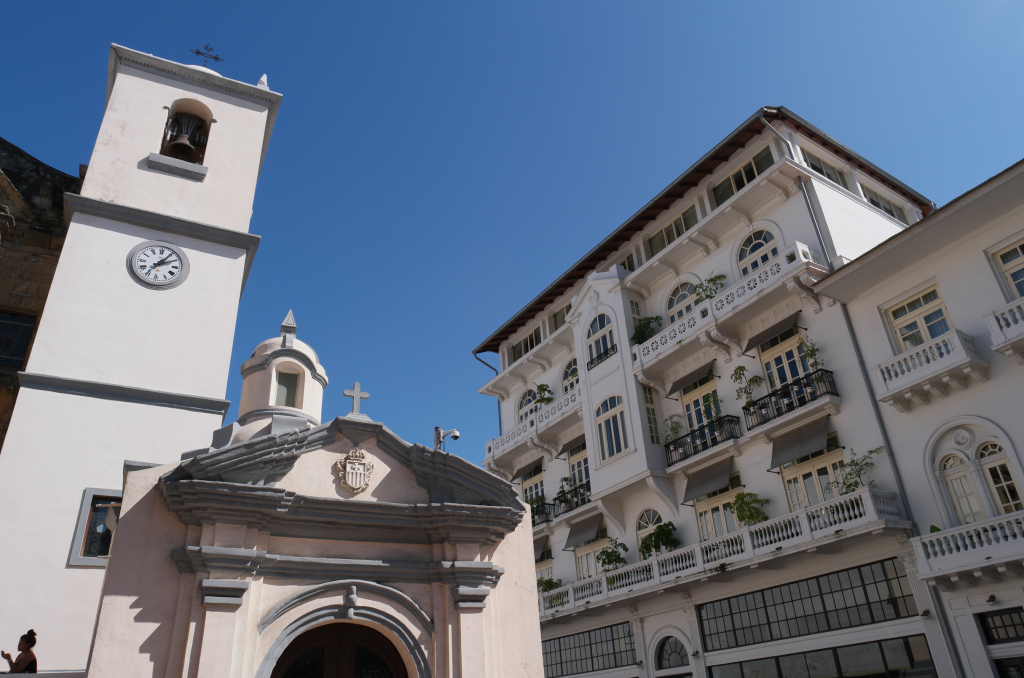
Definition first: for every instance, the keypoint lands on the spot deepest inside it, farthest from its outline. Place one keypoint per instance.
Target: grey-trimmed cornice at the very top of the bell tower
(195, 76)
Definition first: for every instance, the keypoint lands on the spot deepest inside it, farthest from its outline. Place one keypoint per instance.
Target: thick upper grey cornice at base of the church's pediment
(286, 514)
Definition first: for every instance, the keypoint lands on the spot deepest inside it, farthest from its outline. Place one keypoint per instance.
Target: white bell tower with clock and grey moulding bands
(134, 349)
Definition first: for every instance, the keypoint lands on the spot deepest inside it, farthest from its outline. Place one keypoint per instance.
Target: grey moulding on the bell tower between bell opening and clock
(164, 223)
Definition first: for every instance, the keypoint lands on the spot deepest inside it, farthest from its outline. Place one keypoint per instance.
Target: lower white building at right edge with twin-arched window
(940, 315)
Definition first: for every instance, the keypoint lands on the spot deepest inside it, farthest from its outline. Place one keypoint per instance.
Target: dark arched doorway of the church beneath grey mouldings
(340, 651)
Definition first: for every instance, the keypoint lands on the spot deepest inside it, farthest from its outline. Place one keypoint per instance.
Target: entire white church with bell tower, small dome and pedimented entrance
(162, 542)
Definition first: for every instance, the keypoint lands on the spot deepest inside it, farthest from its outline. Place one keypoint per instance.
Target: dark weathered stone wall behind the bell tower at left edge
(32, 234)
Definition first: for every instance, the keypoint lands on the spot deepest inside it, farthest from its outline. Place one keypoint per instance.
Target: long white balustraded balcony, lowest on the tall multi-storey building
(867, 511)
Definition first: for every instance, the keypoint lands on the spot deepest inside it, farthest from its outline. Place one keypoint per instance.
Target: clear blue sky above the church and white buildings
(436, 165)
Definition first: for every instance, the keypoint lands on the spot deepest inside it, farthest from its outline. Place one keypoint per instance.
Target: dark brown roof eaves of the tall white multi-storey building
(705, 167)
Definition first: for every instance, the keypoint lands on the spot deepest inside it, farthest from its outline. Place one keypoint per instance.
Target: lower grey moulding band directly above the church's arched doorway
(251, 563)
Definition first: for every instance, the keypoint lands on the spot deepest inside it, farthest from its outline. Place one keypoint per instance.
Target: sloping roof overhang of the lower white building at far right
(983, 204)
